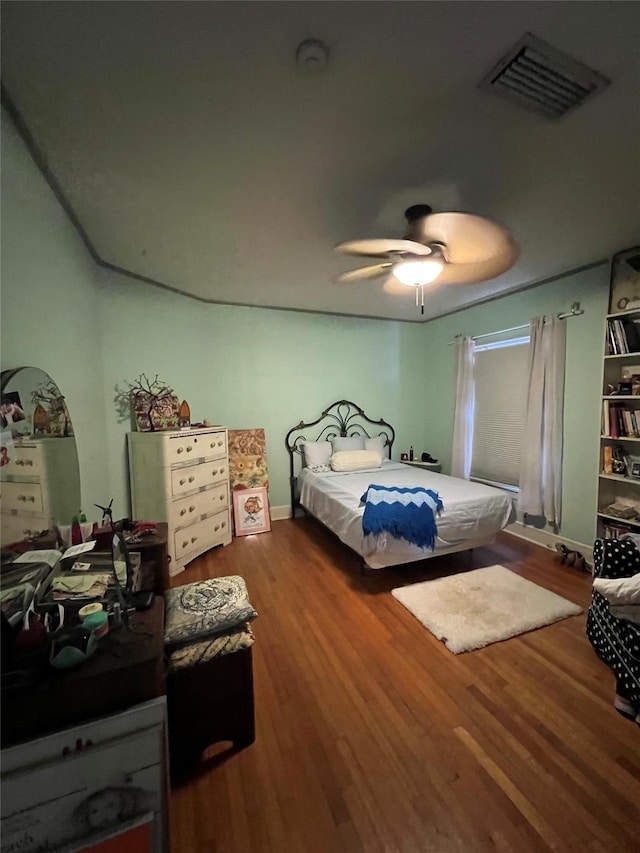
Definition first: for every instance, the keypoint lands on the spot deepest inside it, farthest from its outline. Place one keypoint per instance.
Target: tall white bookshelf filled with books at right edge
(619, 474)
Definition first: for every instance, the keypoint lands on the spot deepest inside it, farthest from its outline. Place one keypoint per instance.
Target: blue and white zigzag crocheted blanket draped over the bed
(405, 513)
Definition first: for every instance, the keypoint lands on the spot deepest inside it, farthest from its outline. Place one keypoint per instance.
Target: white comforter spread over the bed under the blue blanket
(473, 513)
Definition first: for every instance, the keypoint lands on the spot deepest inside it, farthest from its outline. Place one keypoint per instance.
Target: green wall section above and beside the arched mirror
(49, 305)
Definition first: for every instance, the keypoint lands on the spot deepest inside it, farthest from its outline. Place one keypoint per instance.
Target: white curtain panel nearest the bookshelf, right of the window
(541, 466)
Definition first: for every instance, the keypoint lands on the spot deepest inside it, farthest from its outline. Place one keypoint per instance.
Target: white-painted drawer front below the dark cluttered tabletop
(88, 783)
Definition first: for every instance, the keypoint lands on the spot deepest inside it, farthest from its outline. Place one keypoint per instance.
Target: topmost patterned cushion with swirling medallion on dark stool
(204, 608)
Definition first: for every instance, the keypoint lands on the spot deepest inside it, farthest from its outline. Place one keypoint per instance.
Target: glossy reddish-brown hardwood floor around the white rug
(371, 736)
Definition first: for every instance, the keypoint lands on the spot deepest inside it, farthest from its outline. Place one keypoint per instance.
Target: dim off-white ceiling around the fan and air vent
(194, 152)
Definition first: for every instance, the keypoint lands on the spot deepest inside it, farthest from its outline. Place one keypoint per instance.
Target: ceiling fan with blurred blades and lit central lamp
(445, 248)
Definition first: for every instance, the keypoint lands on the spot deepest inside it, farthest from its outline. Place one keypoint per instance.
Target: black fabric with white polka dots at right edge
(616, 641)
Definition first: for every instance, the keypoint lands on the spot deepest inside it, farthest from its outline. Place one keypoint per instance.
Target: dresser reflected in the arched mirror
(39, 486)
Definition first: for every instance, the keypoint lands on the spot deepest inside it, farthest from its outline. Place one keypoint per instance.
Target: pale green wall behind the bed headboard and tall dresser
(253, 367)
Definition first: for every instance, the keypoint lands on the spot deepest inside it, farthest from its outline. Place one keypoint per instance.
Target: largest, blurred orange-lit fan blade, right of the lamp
(468, 239)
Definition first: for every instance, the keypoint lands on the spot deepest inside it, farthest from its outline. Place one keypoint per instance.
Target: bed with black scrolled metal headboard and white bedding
(471, 516)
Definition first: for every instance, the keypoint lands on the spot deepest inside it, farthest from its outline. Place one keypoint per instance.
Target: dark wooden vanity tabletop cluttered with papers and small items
(125, 666)
